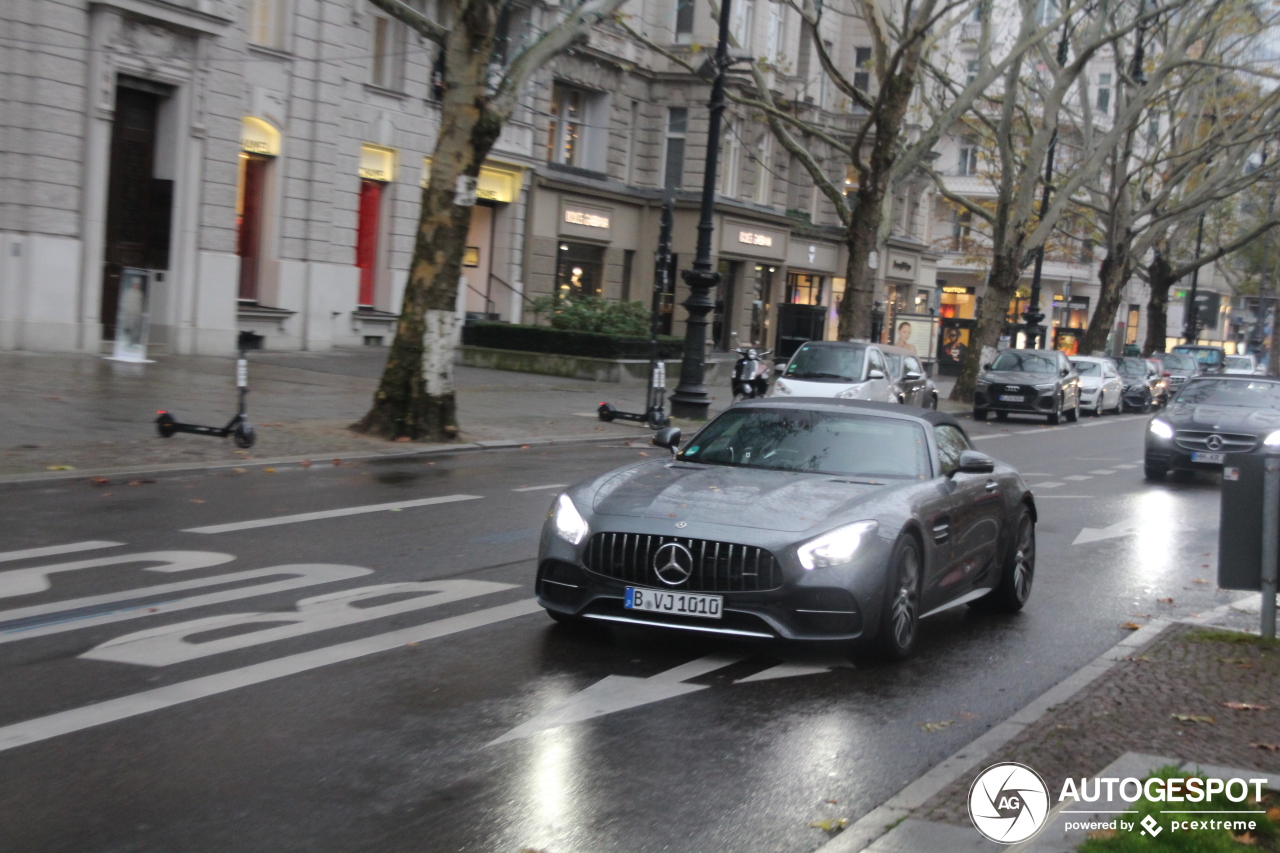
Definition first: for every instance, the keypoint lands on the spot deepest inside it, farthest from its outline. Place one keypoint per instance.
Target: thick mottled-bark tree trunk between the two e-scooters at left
(417, 398)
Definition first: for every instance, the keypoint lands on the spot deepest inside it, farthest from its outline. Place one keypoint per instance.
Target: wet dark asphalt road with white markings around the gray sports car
(368, 720)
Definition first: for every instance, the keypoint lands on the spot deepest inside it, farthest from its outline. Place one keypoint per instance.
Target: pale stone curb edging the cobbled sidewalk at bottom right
(884, 818)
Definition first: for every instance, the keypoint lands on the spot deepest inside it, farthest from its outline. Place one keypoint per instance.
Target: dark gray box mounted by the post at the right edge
(1240, 539)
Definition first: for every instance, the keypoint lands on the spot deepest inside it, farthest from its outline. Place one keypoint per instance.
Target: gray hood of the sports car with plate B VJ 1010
(734, 496)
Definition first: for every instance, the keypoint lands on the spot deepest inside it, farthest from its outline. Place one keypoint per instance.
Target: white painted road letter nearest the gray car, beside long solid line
(171, 645)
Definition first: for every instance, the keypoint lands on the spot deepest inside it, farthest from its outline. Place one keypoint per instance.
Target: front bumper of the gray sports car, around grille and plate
(838, 604)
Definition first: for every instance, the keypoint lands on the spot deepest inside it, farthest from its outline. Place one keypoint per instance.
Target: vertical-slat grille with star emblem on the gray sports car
(717, 567)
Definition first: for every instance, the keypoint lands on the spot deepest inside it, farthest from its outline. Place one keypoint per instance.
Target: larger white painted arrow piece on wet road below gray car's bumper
(621, 692)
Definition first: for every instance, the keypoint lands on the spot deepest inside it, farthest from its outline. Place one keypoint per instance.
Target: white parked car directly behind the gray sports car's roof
(836, 370)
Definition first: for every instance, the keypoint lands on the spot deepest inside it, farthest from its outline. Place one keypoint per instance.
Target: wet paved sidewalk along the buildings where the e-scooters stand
(92, 414)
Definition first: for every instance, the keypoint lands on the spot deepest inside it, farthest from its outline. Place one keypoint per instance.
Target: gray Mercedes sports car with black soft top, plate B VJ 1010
(796, 518)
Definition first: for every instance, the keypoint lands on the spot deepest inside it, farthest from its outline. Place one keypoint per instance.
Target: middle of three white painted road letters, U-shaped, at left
(68, 621)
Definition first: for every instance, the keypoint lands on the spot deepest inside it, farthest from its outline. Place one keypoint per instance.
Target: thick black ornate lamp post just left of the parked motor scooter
(691, 399)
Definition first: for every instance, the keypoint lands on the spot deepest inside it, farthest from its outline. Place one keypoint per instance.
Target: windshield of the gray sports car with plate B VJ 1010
(813, 443)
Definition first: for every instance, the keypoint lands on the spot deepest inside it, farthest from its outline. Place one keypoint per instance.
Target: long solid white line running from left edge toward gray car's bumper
(167, 697)
